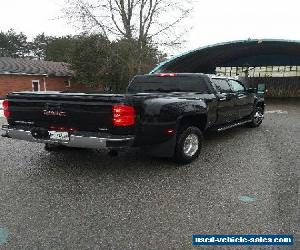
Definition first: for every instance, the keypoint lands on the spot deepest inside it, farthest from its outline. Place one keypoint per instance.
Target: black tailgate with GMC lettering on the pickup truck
(85, 112)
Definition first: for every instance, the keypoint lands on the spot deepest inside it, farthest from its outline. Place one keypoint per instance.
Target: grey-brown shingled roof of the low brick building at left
(21, 66)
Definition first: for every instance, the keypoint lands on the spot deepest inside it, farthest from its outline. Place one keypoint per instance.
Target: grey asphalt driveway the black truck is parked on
(246, 181)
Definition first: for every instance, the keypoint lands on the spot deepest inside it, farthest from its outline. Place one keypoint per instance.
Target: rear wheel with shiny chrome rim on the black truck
(189, 144)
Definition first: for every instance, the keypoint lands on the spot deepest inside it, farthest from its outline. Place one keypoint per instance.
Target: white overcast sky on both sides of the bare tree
(213, 21)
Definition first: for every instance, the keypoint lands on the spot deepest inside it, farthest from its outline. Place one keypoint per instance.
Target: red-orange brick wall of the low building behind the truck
(10, 83)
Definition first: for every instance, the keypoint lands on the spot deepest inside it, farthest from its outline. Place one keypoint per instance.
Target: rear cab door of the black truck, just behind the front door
(226, 111)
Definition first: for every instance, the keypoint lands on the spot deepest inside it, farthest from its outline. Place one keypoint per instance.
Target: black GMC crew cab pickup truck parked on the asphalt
(165, 114)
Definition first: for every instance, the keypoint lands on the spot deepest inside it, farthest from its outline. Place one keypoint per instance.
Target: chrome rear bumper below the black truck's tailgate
(77, 139)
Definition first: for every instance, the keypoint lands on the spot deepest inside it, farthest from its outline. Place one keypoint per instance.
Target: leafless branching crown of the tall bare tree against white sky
(145, 21)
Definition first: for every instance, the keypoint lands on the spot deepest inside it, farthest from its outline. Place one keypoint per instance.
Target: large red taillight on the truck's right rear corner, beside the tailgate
(123, 115)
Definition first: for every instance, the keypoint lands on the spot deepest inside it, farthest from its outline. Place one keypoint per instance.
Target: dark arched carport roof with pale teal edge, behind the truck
(265, 52)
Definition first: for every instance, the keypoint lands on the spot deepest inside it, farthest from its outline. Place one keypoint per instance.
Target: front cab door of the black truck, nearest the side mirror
(244, 101)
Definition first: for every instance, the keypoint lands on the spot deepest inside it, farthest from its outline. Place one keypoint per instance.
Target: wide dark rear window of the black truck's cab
(145, 84)
